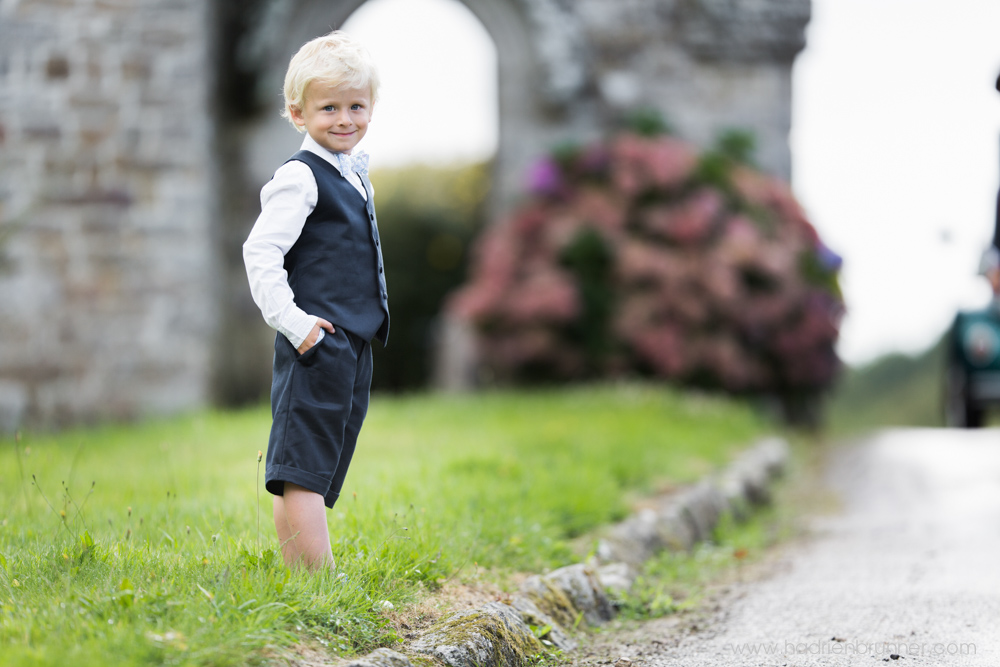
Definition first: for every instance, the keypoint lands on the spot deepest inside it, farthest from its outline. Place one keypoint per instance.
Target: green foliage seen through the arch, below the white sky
(427, 218)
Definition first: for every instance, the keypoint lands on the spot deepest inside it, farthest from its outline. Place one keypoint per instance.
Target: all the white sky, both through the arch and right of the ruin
(895, 144)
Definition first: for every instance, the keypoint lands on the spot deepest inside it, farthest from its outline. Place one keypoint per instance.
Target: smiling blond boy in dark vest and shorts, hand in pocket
(314, 263)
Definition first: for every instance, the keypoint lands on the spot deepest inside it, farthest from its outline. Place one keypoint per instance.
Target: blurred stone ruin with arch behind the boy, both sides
(134, 172)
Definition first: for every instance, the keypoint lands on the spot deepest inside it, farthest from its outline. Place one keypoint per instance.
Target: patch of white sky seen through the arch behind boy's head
(438, 99)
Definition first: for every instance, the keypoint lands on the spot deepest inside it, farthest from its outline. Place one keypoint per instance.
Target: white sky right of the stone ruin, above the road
(896, 147)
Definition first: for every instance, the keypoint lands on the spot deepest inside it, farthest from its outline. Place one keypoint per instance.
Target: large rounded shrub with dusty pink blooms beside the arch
(642, 255)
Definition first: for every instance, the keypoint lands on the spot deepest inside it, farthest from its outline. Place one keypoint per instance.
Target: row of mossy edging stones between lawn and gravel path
(501, 634)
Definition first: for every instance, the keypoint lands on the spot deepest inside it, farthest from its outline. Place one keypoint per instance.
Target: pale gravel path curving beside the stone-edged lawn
(906, 573)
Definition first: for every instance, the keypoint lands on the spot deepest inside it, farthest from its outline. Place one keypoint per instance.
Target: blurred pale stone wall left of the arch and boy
(105, 286)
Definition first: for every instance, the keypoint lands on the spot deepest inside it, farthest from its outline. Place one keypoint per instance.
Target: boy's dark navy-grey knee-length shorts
(318, 402)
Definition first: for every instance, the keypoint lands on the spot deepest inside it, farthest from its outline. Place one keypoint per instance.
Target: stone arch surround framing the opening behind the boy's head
(251, 147)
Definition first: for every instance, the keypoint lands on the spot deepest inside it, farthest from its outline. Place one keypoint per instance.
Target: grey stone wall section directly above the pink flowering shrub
(708, 65)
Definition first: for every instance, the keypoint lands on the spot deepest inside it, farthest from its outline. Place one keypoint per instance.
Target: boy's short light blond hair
(336, 59)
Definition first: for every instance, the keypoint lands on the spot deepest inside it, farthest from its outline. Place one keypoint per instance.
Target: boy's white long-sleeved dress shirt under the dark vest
(285, 203)
